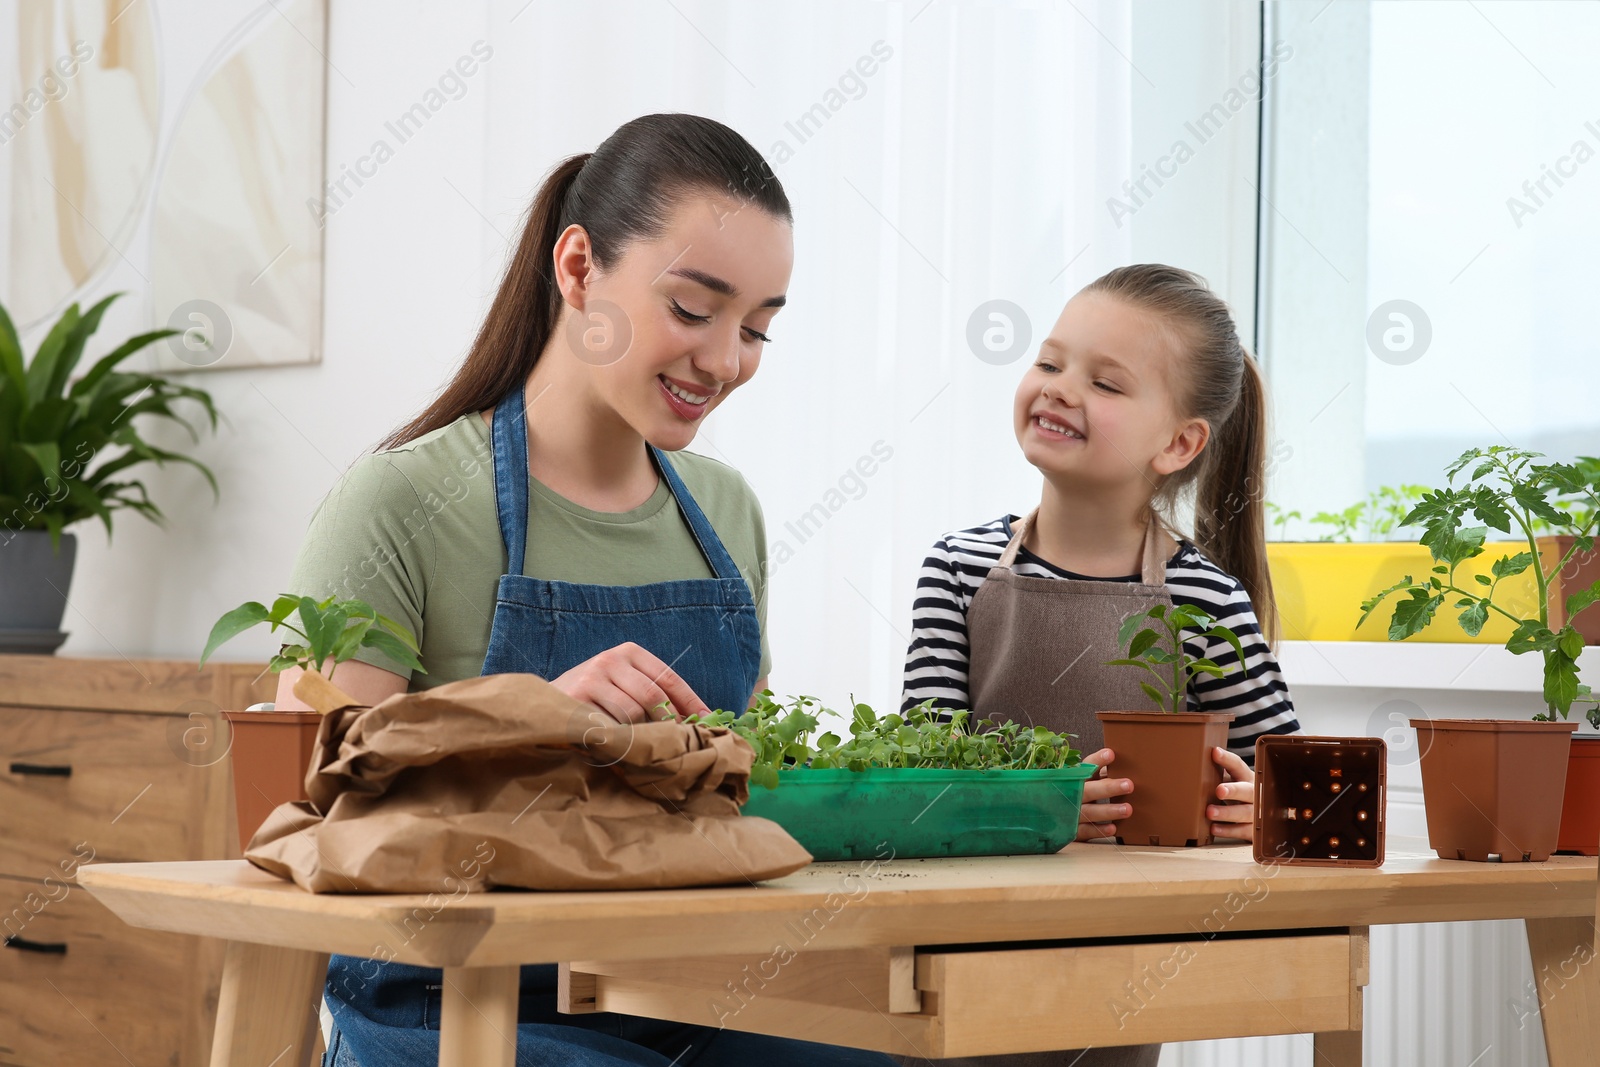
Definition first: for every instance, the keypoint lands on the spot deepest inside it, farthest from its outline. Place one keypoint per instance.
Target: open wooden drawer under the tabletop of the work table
(986, 999)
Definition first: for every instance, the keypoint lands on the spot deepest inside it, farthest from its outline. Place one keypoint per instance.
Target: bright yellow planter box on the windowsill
(1321, 589)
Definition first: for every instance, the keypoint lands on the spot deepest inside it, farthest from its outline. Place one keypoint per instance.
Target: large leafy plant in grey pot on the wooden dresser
(65, 449)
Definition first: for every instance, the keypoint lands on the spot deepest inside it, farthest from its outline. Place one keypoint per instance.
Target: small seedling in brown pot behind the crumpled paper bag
(271, 751)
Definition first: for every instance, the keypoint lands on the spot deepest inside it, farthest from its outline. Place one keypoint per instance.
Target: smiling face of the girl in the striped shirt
(1098, 406)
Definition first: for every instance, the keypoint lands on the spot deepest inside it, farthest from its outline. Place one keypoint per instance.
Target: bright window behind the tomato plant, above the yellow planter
(1430, 233)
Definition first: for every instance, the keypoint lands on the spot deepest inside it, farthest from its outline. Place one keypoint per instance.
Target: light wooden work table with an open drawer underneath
(927, 957)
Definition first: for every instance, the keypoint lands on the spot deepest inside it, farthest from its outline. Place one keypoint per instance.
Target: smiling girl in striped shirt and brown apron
(1142, 391)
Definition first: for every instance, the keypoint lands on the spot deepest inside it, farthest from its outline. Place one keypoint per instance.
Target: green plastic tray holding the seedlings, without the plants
(926, 812)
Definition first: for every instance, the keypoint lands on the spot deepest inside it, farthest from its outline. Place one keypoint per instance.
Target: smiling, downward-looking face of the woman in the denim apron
(679, 322)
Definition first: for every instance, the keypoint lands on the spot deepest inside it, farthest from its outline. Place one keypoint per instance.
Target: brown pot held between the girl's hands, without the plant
(1169, 761)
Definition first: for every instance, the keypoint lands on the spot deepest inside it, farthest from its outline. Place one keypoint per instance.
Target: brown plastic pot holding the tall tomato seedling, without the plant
(1494, 786)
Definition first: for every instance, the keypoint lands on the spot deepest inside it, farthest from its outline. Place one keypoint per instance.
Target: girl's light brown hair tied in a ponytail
(1223, 386)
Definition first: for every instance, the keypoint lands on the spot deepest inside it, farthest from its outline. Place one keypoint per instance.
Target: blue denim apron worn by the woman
(386, 1015)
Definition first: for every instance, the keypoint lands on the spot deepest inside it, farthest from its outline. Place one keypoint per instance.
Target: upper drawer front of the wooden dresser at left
(111, 786)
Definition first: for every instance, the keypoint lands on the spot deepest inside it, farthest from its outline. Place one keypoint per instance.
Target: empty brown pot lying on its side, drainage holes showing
(1321, 801)
